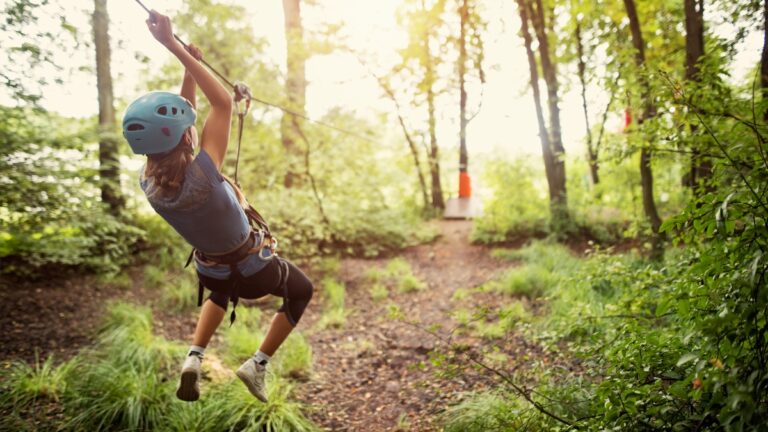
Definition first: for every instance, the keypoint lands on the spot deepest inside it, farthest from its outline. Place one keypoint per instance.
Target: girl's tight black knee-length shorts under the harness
(296, 291)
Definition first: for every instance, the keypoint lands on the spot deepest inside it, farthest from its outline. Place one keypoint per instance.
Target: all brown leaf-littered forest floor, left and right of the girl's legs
(373, 373)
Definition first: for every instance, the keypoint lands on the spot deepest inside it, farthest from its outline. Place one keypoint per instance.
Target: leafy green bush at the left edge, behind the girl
(50, 207)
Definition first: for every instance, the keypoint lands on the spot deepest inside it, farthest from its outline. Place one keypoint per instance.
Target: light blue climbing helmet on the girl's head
(154, 123)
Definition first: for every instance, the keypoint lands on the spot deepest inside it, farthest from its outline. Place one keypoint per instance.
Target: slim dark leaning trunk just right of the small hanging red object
(649, 111)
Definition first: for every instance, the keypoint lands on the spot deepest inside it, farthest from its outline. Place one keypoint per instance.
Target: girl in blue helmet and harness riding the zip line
(232, 259)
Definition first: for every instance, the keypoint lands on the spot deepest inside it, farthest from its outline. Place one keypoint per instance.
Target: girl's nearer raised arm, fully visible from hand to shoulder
(215, 136)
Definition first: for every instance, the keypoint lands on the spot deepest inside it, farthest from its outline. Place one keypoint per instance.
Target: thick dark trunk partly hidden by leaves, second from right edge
(701, 167)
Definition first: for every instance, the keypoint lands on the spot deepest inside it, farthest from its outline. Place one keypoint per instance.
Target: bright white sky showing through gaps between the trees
(506, 123)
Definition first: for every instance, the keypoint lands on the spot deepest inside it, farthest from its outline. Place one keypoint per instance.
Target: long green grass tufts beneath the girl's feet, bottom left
(127, 381)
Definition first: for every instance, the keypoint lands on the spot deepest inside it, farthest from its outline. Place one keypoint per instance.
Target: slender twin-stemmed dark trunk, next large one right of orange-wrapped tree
(558, 194)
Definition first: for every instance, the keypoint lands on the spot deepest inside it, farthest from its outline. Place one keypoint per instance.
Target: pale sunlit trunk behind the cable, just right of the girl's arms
(295, 88)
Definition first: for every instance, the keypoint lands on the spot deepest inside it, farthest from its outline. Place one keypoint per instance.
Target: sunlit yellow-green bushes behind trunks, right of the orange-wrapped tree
(606, 212)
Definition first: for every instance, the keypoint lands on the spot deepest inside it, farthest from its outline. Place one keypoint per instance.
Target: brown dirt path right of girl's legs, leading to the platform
(366, 375)
